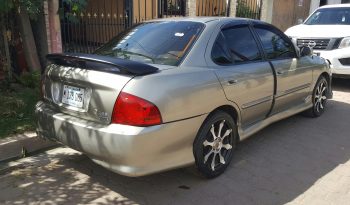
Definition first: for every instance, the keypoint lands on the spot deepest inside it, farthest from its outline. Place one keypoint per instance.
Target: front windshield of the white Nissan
(330, 16)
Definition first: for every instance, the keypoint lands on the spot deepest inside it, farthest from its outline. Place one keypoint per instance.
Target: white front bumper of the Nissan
(339, 60)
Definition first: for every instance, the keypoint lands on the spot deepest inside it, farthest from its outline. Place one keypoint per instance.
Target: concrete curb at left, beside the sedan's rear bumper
(20, 145)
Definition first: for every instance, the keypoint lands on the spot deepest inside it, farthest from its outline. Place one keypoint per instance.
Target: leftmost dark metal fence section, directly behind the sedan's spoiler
(87, 30)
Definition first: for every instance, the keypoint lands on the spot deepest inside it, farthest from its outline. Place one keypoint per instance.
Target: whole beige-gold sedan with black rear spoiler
(172, 92)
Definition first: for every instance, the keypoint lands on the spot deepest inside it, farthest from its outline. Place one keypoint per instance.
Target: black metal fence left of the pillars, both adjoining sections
(85, 31)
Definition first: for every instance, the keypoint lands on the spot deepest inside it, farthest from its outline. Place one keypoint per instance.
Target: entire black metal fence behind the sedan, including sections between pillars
(86, 30)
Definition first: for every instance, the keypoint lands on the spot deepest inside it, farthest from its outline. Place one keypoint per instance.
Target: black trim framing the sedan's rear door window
(230, 25)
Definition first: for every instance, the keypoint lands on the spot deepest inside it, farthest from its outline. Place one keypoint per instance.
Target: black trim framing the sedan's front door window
(278, 32)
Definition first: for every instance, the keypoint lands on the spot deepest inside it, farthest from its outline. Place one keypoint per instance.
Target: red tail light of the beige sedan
(132, 110)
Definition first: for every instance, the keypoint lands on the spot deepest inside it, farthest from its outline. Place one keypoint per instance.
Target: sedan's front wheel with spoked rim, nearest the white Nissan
(319, 99)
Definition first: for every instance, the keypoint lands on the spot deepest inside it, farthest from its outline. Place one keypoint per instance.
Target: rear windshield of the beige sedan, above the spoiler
(163, 42)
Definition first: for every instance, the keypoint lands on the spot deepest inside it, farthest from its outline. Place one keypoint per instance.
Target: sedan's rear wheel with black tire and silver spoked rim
(214, 145)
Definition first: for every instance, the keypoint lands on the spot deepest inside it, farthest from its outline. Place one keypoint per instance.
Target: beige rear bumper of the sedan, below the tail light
(127, 150)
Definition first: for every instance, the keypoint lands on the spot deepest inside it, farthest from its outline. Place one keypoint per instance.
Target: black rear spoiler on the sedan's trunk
(101, 63)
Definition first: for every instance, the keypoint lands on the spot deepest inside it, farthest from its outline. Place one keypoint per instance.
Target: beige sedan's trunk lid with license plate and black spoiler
(87, 86)
